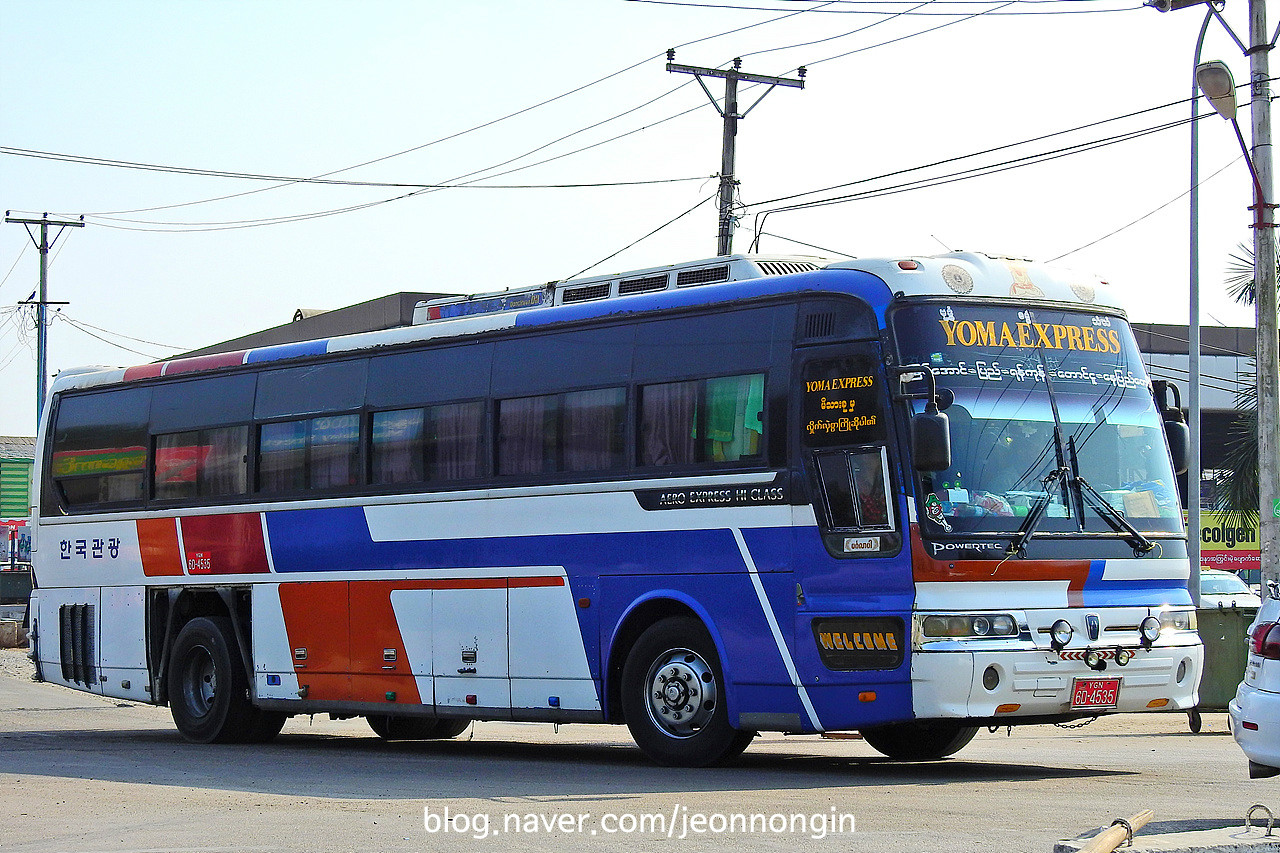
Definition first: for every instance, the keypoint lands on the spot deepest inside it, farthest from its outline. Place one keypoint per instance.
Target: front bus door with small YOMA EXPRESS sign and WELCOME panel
(853, 576)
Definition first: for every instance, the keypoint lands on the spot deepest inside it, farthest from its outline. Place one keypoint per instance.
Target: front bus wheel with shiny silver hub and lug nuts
(674, 697)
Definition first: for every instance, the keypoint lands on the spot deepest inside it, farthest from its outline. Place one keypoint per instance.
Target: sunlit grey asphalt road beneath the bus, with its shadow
(85, 774)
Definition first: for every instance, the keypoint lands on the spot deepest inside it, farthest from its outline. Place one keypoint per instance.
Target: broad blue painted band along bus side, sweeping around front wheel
(703, 568)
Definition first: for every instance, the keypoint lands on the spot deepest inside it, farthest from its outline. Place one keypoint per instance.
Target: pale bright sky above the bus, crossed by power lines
(518, 99)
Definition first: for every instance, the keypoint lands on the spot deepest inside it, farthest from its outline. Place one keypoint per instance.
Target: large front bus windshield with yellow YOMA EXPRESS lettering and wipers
(1017, 376)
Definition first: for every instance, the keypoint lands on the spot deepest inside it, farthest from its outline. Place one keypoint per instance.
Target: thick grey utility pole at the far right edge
(1265, 288)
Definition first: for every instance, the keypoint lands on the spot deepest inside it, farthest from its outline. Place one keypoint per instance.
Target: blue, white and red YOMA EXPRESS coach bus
(907, 498)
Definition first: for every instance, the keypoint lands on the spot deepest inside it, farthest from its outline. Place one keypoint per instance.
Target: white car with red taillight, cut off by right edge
(1255, 713)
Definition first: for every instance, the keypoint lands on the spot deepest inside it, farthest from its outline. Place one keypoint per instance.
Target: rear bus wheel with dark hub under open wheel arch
(208, 687)
